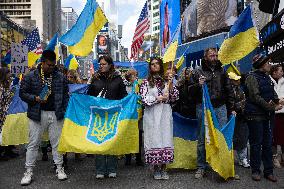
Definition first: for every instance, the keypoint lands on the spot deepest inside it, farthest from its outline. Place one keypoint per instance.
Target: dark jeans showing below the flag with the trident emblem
(106, 164)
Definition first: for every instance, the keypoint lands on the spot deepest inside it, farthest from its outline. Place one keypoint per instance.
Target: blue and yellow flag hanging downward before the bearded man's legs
(218, 140)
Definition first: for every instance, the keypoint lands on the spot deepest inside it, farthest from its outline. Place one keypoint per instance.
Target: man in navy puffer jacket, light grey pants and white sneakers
(45, 90)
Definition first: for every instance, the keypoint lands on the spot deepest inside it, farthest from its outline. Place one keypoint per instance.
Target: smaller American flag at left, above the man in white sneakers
(33, 42)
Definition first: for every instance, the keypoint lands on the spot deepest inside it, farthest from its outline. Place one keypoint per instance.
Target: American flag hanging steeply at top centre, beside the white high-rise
(142, 27)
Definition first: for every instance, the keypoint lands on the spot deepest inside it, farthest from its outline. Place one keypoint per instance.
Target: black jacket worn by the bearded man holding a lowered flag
(220, 89)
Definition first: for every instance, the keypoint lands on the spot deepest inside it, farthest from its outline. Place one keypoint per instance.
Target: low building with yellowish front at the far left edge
(11, 32)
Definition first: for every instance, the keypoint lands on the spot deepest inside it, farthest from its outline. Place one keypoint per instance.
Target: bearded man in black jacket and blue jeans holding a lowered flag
(221, 96)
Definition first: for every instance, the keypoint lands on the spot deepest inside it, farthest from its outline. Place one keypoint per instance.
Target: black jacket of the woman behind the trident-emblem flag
(109, 86)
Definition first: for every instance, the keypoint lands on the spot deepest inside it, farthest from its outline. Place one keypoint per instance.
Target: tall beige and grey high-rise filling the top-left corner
(44, 14)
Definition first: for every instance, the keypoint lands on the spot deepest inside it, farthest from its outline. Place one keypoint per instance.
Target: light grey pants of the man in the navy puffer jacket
(54, 127)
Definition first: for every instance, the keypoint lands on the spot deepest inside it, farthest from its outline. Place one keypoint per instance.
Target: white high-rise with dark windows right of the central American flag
(154, 14)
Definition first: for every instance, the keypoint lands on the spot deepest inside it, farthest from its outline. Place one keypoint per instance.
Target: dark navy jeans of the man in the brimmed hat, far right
(260, 139)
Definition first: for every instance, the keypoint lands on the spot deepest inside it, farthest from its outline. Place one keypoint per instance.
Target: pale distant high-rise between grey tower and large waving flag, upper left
(70, 17)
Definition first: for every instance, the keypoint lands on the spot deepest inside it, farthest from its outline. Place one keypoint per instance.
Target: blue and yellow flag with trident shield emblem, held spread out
(99, 126)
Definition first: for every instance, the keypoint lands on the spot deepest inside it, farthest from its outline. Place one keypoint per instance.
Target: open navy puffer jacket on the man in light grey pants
(31, 86)
